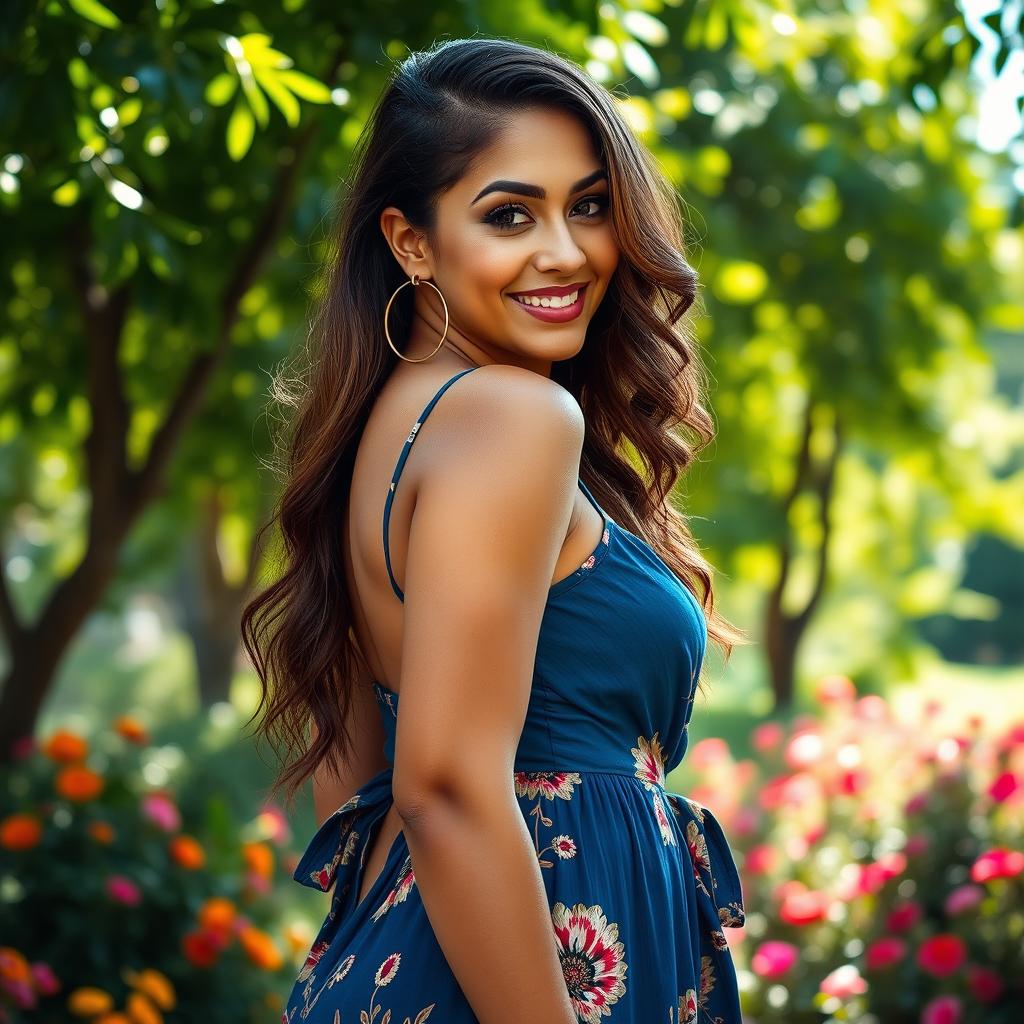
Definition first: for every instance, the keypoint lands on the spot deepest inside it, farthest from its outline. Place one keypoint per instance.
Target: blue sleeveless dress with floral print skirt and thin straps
(641, 881)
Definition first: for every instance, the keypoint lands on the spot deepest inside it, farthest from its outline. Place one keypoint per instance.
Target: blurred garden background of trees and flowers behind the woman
(852, 173)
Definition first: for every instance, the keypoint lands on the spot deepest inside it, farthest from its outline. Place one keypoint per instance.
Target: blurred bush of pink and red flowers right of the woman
(882, 865)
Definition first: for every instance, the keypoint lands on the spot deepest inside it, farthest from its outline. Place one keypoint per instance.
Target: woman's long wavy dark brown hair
(638, 378)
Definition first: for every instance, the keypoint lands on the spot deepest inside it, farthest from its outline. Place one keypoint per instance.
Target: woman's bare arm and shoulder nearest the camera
(498, 485)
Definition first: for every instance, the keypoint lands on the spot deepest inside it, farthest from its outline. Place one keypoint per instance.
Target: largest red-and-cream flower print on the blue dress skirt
(592, 959)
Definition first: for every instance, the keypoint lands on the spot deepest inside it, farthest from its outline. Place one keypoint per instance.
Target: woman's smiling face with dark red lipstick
(531, 215)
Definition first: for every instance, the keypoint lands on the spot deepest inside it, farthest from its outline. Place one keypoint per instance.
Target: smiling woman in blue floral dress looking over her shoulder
(509, 852)
